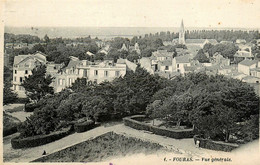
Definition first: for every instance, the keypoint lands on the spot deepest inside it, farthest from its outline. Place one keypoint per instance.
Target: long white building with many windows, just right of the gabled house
(95, 72)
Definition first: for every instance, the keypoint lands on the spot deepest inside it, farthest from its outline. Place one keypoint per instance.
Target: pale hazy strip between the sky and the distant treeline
(103, 32)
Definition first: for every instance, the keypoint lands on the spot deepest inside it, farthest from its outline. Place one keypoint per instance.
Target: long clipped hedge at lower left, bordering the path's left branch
(38, 140)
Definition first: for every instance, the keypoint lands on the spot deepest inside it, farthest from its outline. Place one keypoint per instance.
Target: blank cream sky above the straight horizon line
(133, 13)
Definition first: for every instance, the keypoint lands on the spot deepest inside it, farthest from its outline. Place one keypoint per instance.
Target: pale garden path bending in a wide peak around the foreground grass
(184, 146)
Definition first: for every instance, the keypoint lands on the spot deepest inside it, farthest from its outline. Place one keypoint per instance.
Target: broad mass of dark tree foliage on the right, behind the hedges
(214, 104)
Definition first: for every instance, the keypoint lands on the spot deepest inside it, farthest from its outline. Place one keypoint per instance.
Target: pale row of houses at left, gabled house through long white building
(97, 72)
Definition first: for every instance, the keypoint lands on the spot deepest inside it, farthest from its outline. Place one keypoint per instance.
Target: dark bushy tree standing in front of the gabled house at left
(37, 85)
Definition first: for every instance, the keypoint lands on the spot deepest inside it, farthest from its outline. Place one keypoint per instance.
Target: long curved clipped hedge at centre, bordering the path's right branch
(177, 134)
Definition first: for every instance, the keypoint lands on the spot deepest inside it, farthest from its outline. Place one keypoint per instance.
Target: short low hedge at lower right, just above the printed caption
(215, 145)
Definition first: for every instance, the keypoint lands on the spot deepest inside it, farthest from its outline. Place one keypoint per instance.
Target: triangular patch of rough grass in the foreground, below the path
(104, 147)
